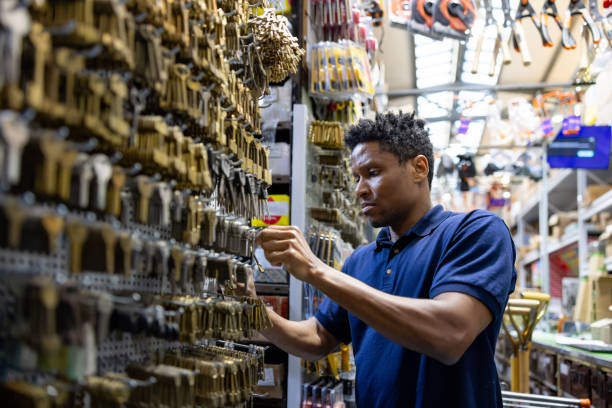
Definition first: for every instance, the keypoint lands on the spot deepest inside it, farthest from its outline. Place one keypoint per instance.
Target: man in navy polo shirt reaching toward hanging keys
(423, 304)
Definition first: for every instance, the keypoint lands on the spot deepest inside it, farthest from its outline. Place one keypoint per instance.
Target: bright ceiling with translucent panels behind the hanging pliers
(445, 62)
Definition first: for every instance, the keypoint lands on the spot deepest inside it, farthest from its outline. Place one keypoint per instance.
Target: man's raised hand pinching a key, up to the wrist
(287, 246)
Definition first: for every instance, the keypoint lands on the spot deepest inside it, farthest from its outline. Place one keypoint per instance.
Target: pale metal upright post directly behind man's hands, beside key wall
(298, 218)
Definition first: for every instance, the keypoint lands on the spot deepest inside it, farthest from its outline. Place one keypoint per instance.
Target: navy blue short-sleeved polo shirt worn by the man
(470, 253)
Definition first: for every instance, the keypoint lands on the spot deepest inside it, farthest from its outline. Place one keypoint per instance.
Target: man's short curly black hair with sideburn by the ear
(399, 133)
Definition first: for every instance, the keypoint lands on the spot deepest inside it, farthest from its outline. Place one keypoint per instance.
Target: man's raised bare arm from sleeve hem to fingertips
(442, 328)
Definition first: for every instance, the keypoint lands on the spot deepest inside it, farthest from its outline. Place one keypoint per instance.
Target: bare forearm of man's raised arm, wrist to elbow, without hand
(423, 325)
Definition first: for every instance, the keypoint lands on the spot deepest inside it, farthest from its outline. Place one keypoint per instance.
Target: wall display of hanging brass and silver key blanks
(130, 168)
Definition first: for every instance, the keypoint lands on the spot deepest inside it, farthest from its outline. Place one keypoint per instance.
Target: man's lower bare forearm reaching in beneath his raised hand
(302, 339)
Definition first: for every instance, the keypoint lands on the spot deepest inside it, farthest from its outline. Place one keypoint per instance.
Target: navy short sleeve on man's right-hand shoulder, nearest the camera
(478, 261)
